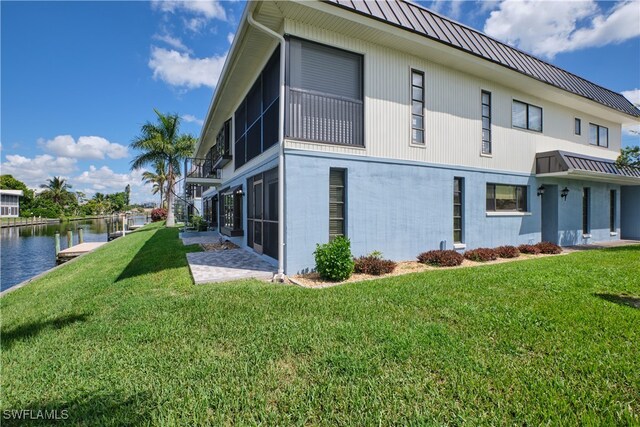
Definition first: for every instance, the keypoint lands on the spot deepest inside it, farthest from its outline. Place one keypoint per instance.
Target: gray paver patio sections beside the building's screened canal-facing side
(223, 265)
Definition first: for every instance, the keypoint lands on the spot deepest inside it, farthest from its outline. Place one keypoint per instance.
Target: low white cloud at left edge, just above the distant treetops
(34, 172)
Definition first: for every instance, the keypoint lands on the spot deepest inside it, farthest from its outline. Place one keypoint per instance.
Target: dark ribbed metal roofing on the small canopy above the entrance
(562, 161)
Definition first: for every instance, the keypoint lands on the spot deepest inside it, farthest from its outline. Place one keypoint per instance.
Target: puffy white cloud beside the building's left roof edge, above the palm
(180, 69)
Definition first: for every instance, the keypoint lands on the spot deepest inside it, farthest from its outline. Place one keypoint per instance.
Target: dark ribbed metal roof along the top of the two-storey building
(417, 19)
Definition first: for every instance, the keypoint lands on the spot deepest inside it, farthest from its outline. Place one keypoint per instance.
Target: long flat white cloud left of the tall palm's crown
(87, 147)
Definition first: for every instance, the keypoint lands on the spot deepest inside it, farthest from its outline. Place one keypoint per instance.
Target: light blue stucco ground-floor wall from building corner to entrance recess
(401, 209)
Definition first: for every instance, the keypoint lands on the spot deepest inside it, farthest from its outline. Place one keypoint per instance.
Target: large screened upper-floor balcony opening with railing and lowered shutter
(324, 94)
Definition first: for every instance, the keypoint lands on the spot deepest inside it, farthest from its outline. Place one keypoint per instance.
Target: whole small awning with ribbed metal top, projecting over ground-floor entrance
(577, 166)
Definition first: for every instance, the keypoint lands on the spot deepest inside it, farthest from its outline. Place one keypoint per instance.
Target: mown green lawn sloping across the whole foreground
(122, 337)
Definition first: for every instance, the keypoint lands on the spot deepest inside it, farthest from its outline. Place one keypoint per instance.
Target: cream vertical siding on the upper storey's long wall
(453, 113)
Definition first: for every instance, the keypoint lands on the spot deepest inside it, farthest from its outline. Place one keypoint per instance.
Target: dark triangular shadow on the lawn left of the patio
(164, 250)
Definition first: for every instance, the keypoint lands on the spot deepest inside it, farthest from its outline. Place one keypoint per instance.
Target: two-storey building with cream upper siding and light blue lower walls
(405, 131)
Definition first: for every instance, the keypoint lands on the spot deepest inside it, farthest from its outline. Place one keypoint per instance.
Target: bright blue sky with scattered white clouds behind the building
(78, 79)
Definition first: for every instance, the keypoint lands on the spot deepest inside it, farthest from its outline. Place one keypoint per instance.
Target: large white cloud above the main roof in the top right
(547, 28)
